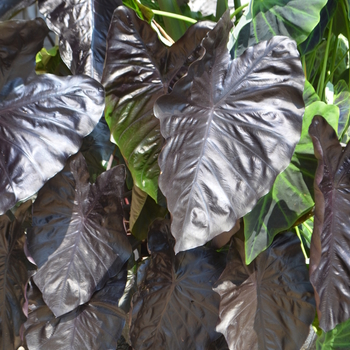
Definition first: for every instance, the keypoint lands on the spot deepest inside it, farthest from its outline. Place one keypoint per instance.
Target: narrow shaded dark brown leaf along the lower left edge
(13, 277)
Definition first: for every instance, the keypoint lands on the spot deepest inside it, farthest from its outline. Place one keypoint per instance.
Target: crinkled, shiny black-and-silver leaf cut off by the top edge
(82, 28)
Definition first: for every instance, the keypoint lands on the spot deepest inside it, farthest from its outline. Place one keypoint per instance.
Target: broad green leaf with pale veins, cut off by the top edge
(265, 19)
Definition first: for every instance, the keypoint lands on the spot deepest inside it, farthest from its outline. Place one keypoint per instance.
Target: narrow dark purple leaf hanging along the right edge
(330, 243)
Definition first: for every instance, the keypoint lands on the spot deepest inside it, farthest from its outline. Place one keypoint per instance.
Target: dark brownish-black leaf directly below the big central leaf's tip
(175, 306)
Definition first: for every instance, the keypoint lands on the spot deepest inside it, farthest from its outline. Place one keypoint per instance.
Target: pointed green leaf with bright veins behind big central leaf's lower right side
(289, 199)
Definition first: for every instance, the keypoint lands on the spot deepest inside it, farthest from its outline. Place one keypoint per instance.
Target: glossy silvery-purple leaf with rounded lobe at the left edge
(42, 122)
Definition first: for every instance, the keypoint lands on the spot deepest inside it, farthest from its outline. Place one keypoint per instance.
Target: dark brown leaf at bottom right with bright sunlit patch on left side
(268, 304)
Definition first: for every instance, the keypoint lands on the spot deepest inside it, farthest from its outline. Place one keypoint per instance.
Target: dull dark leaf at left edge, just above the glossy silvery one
(19, 43)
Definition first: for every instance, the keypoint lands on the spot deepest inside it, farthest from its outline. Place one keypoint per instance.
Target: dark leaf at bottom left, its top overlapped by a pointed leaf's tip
(95, 325)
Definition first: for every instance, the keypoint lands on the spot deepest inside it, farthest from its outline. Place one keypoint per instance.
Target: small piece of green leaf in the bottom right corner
(337, 338)
